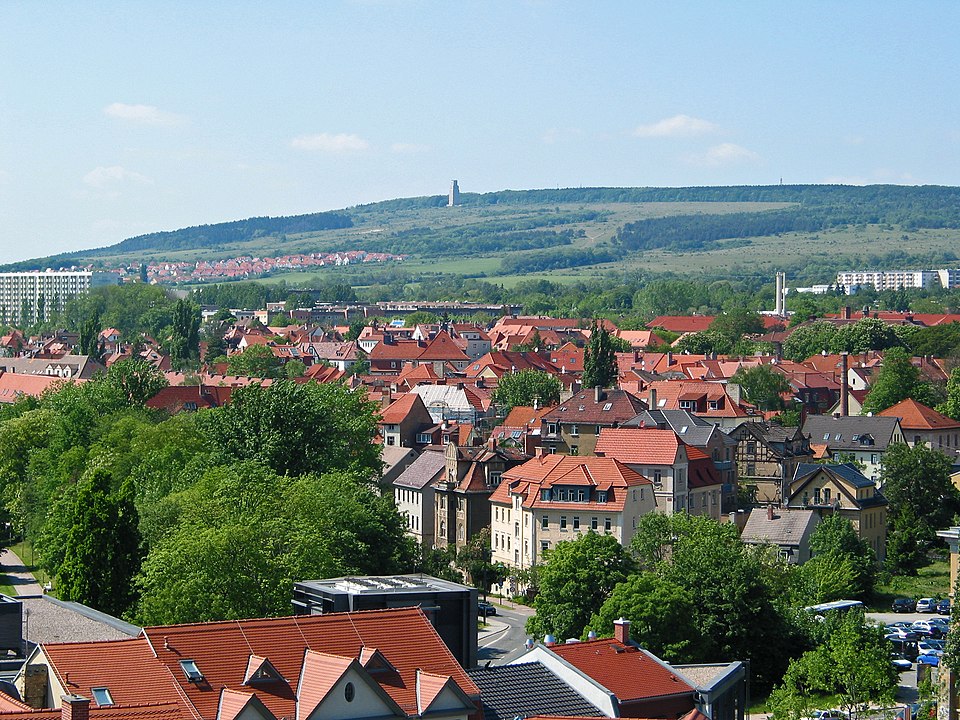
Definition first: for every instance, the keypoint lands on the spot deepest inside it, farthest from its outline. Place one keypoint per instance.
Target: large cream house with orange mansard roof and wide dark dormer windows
(558, 497)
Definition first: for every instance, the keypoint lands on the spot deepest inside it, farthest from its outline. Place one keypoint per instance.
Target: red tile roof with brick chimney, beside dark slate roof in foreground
(627, 671)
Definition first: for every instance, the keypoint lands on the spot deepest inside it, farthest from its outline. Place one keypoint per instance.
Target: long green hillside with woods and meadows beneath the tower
(808, 229)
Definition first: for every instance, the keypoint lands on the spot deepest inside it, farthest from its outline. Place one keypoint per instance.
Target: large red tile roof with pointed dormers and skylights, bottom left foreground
(146, 670)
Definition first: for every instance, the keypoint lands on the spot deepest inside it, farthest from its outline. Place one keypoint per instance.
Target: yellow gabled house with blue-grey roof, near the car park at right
(842, 489)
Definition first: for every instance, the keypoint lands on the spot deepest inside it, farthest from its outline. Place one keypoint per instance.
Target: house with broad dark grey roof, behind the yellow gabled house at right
(861, 438)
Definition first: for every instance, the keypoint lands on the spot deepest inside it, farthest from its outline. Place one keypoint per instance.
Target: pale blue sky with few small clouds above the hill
(121, 118)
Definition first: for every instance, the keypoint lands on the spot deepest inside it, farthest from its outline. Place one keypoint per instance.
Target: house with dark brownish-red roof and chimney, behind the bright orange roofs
(572, 428)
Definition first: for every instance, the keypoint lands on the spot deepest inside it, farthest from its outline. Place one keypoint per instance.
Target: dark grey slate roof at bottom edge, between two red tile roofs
(511, 691)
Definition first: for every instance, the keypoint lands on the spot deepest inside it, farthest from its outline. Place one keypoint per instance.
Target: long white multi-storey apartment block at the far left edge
(26, 297)
